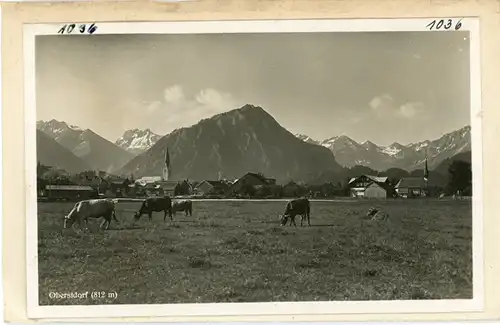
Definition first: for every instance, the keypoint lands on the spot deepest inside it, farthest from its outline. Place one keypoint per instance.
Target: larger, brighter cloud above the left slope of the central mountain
(177, 110)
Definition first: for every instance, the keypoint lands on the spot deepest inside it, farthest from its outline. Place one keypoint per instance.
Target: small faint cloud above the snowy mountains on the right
(385, 106)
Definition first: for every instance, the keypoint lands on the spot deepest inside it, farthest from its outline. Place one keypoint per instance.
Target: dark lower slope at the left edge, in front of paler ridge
(51, 153)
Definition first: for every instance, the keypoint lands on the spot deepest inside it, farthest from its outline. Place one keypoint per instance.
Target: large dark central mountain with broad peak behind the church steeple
(243, 140)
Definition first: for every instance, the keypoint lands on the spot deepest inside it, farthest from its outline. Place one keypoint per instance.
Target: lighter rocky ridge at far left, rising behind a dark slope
(98, 152)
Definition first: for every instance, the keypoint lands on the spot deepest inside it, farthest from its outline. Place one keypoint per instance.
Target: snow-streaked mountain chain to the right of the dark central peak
(409, 157)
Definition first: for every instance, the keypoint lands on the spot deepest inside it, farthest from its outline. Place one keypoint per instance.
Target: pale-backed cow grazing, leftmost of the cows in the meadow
(96, 208)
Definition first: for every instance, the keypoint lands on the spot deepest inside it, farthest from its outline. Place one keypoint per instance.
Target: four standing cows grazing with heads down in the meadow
(106, 209)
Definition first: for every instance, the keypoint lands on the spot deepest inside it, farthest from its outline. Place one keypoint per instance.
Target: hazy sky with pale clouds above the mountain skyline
(381, 86)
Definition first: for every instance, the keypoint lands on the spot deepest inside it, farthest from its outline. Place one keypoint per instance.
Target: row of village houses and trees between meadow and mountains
(91, 184)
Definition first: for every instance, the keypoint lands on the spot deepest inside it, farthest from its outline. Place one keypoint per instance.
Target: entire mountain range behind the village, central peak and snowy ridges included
(247, 139)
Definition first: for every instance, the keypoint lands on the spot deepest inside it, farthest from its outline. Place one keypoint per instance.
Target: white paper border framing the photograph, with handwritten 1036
(476, 304)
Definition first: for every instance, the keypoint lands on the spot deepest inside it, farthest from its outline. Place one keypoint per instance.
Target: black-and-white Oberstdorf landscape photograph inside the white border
(253, 167)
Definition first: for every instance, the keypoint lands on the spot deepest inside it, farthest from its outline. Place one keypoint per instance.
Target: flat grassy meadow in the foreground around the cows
(237, 252)
